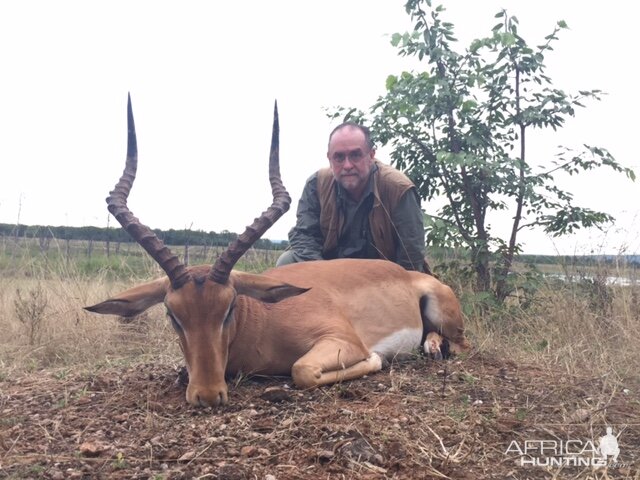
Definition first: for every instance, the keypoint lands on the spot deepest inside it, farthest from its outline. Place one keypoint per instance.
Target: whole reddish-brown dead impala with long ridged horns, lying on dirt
(321, 322)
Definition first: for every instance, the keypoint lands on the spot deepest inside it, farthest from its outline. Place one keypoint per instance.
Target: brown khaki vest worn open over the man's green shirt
(389, 185)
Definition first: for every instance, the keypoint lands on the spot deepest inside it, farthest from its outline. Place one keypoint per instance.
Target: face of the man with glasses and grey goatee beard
(351, 160)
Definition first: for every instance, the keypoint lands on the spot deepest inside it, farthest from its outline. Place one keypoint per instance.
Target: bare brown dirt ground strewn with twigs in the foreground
(459, 419)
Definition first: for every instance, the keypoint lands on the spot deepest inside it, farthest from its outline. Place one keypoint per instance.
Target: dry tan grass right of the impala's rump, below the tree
(583, 326)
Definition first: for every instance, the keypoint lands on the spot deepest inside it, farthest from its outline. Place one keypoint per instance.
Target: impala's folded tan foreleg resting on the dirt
(332, 361)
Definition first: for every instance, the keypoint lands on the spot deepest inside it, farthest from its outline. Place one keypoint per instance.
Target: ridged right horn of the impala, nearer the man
(281, 200)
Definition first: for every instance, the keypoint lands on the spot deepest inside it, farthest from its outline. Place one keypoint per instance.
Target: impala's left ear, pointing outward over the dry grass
(134, 301)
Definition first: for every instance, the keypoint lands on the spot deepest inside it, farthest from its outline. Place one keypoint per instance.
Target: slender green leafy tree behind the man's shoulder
(459, 130)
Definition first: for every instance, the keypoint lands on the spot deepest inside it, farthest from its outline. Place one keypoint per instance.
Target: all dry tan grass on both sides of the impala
(583, 325)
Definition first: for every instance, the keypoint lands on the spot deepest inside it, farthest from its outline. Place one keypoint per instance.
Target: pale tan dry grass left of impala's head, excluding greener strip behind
(63, 335)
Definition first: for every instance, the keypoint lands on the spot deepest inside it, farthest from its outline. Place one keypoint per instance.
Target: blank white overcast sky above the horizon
(203, 76)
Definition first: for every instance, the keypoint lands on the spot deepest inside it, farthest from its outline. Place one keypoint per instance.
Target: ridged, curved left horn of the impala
(117, 205)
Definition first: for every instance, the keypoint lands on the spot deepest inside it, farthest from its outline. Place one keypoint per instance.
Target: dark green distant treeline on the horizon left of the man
(97, 234)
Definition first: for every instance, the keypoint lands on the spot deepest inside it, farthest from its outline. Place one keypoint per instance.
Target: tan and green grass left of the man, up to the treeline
(42, 295)
